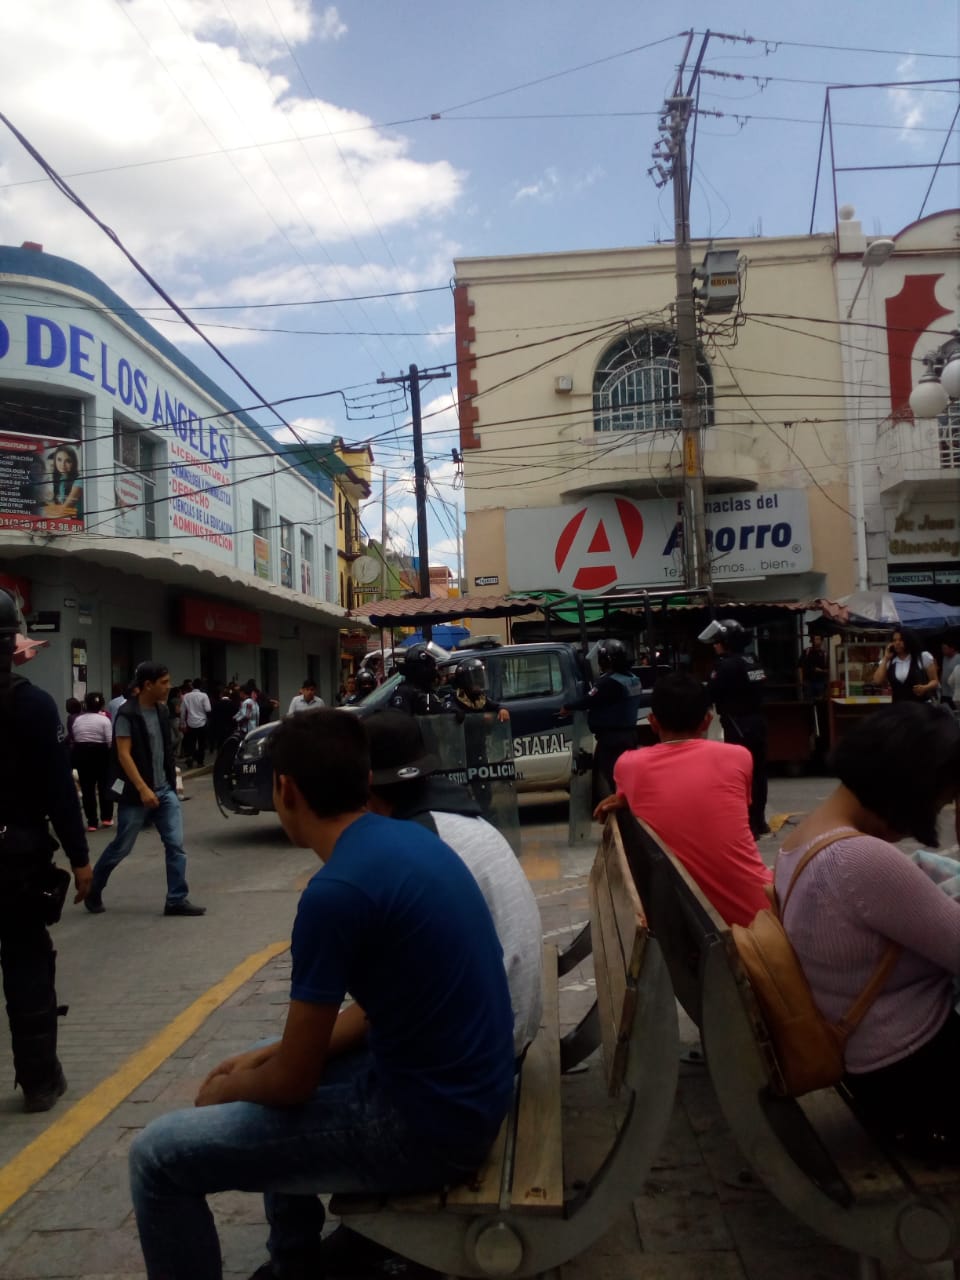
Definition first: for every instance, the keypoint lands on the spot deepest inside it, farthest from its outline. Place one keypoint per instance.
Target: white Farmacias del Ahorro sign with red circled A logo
(609, 541)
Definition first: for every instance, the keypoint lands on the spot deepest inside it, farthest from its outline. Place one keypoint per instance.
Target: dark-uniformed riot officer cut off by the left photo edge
(36, 784)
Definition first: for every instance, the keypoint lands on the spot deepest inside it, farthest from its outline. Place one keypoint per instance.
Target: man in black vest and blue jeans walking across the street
(147, 783)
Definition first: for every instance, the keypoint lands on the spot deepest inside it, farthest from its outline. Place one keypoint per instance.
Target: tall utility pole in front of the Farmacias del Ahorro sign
(671, 166)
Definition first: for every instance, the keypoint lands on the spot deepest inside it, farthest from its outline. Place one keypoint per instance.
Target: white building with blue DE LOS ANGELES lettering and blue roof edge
(143, 513)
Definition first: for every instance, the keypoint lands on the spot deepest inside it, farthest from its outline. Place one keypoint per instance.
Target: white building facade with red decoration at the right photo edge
(904, 473)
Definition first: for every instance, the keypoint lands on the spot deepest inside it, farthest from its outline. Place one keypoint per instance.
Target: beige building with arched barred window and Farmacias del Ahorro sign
(570, 423)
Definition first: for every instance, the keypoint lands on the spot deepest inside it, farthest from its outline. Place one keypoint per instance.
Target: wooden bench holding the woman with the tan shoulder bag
(811, 1153)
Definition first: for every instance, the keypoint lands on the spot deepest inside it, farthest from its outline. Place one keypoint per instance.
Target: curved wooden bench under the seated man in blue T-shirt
(519, 1217)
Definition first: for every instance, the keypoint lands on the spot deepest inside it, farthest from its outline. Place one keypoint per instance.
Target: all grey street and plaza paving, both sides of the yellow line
(147, 1032)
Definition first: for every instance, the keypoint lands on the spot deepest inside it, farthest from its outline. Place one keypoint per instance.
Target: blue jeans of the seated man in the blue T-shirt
(348, 1139)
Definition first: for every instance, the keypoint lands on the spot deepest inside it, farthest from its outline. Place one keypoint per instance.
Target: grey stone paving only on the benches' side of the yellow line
(702, 1214)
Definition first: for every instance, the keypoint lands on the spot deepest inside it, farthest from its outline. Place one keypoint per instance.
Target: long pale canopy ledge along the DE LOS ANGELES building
(159, 564)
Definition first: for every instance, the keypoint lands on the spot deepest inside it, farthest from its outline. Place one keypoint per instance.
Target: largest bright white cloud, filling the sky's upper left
(143, 81)
